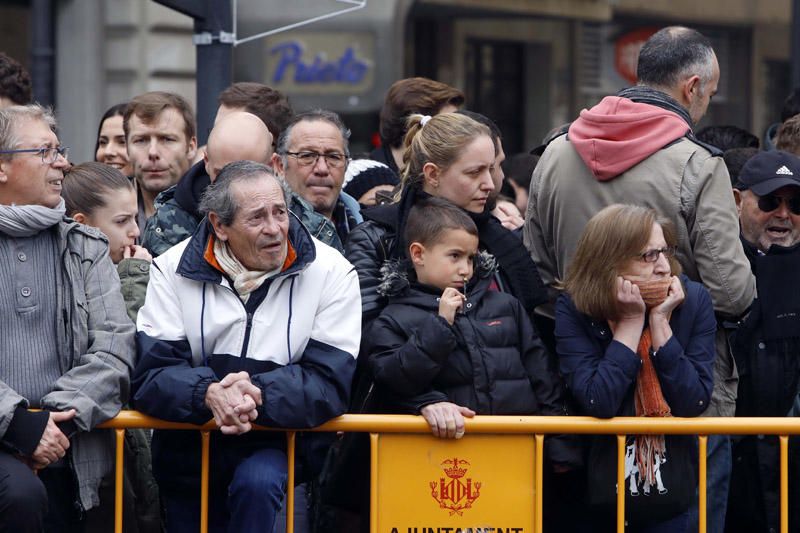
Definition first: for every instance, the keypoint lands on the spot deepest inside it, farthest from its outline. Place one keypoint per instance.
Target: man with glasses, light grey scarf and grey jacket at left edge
(66, 343)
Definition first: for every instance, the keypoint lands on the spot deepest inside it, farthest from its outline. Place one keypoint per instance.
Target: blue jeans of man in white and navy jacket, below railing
(254, 497)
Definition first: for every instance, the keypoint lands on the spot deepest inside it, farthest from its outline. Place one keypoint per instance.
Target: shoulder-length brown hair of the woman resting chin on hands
(611, 238)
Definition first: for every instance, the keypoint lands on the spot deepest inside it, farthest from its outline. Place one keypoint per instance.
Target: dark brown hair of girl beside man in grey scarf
(87, 185)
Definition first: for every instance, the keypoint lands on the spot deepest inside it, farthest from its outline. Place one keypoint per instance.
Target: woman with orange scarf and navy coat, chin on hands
(636, 338)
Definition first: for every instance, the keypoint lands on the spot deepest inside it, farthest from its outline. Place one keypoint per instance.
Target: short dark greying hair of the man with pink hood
(675, 53)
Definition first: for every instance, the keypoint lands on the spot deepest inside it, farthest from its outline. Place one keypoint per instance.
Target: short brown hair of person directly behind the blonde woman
(413, 95)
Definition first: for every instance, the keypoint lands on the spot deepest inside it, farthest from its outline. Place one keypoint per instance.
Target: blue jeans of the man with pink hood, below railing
(719, 462)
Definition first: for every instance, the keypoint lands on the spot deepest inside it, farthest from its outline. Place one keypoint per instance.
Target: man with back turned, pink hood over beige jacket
(638, 148)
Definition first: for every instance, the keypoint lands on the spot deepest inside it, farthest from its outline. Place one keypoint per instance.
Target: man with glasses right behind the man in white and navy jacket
(312, 156)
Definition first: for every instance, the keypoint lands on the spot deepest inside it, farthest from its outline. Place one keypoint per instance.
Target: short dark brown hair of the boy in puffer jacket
(429, 219)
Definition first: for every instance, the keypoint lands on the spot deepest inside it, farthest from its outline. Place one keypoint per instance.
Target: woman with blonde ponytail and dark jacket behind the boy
(449, 156)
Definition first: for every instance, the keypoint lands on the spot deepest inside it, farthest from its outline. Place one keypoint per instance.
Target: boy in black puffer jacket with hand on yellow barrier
(449, 345)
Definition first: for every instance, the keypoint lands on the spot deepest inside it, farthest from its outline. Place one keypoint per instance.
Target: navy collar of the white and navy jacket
(193, 265)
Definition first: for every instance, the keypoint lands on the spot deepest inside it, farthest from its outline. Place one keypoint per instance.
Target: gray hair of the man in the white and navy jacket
(218, 196)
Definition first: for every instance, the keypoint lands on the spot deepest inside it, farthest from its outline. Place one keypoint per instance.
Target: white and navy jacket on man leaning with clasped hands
(297, 336)
